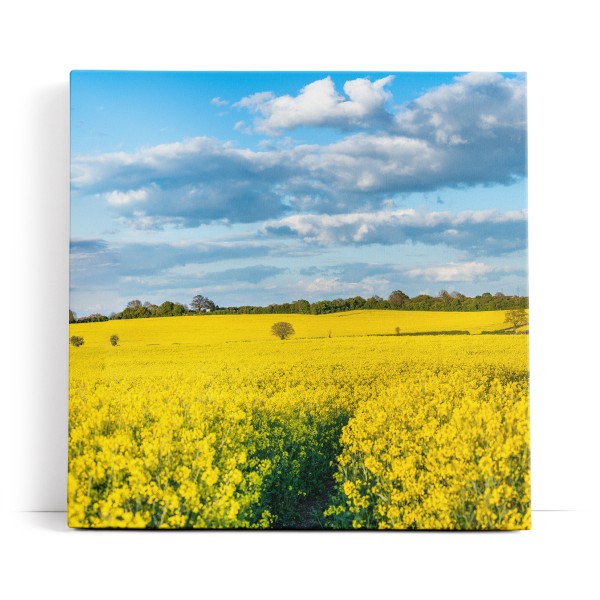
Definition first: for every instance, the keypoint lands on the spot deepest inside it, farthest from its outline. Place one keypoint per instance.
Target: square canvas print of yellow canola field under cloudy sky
(299, 300)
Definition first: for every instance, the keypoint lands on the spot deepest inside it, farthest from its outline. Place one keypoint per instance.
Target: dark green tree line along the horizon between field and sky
(397, 300)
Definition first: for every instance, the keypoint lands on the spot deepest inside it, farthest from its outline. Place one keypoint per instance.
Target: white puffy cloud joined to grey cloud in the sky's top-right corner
(477, 115)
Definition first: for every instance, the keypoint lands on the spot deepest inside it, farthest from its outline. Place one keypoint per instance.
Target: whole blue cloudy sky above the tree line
(261, 187)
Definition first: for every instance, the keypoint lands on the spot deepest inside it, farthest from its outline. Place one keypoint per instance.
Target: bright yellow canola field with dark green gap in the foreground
(212, 422)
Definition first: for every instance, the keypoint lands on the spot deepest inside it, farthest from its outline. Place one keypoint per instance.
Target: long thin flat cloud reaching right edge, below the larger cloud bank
(485, 232)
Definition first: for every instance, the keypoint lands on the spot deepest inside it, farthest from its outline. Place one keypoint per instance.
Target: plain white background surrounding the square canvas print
(40, 42)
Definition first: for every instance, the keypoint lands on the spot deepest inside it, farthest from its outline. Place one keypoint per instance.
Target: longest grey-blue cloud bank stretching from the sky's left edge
(204, 181)
